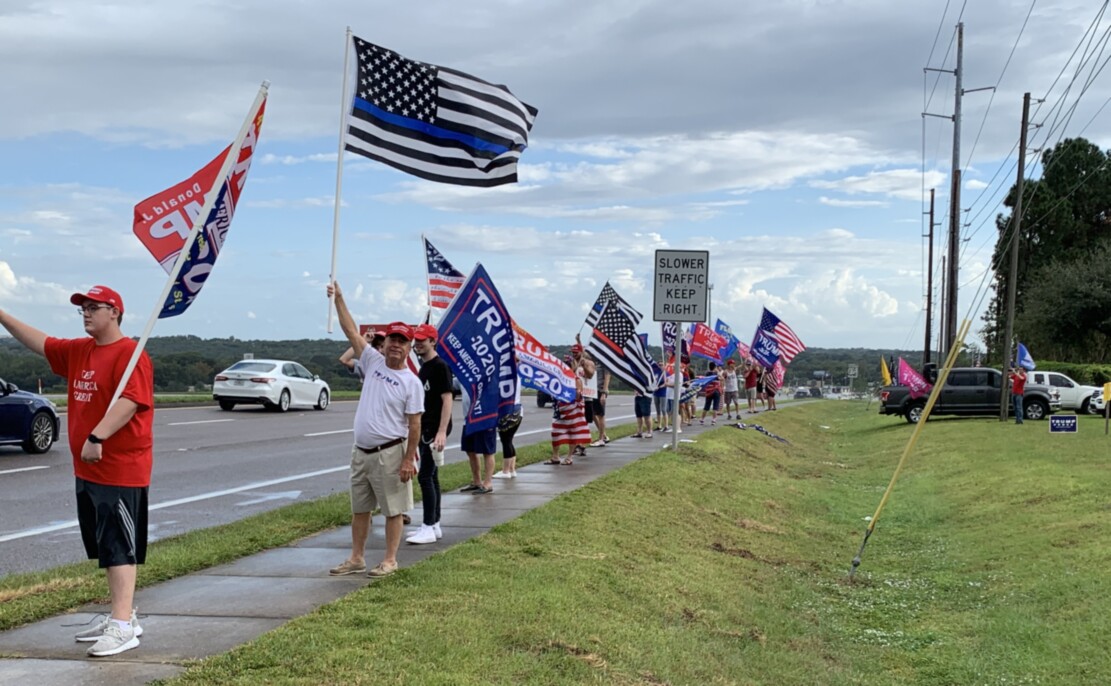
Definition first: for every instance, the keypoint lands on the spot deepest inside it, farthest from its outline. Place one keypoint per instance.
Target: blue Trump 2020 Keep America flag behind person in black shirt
(477, 342)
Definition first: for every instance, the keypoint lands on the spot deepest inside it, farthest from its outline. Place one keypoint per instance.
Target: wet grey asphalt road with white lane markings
(211, 468)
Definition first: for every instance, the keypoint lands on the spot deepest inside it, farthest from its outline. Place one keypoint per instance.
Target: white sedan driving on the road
(278, 385)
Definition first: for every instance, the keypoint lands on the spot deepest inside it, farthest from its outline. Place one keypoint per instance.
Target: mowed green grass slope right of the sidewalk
(727, 564)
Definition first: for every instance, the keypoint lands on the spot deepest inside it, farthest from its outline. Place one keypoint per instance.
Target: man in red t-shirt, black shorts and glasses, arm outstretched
(113, 449)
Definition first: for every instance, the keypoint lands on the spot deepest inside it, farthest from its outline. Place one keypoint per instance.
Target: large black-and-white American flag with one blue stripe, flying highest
(435, 123)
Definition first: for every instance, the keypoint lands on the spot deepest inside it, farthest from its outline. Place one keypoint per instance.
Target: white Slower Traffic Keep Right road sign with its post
(682, 295)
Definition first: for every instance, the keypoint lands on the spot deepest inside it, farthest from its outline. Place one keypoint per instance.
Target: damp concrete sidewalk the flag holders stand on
(214, 611)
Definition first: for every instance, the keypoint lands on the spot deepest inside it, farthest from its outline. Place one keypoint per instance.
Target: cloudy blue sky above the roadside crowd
(787, 141)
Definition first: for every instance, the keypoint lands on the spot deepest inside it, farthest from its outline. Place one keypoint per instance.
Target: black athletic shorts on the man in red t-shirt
(114, 523)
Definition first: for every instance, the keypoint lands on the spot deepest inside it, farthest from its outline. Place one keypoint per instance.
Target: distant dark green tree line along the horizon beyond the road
(188, 362)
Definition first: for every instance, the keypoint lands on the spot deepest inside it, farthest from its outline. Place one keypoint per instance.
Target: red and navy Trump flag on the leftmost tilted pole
(165, 221)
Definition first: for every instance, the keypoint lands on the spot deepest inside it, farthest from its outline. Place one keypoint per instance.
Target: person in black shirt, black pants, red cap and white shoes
(435, 427)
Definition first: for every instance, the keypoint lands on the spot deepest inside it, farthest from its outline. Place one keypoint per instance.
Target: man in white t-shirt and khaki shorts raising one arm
(387, 433)
